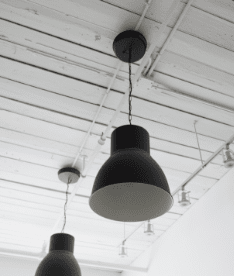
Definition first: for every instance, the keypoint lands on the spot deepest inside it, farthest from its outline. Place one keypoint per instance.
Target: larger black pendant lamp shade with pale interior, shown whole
(130, 186)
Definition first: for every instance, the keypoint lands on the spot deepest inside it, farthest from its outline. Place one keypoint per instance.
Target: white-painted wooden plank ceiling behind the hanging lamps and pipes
(56, 65)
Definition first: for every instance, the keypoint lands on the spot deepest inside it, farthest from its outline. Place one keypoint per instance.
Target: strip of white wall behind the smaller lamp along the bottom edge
(11, 266)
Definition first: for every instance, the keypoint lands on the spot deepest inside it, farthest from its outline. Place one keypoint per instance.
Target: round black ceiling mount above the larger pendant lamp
(130, 40)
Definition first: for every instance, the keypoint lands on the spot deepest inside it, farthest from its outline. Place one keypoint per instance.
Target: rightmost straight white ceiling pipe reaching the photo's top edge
(159, 54)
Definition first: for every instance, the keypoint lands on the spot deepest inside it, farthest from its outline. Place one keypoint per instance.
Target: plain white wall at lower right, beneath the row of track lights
(201, 243)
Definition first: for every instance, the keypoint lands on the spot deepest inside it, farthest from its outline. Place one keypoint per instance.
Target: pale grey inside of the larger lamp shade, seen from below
(119, 206)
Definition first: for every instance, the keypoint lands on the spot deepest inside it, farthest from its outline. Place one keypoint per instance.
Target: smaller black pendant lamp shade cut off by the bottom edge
(60, 260)
